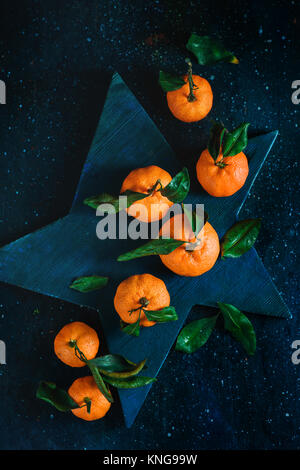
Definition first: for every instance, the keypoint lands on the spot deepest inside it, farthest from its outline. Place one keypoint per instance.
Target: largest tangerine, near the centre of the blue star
(195, 257)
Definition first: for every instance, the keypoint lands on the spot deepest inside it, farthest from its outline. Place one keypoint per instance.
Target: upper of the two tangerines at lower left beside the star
(80, 334)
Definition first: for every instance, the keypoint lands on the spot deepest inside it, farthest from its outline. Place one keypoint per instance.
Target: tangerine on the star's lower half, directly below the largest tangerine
(138, 293)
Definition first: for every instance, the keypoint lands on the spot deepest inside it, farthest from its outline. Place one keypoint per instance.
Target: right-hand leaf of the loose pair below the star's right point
(239, 326)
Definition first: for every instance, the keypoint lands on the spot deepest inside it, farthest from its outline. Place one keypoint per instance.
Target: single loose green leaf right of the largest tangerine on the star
(240, 238)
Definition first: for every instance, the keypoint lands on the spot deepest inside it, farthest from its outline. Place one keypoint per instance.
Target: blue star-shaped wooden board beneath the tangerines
(47, 260)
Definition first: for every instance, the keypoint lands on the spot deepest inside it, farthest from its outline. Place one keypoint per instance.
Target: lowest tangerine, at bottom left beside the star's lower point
(92, 403)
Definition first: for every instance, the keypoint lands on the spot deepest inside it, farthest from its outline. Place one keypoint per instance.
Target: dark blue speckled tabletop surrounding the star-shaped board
(56, 60)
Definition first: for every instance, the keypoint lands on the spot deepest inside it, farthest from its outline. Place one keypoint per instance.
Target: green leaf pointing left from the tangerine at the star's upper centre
(116, 204)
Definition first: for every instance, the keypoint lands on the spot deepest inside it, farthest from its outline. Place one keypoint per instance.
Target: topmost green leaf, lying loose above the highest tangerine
(209, 50)
